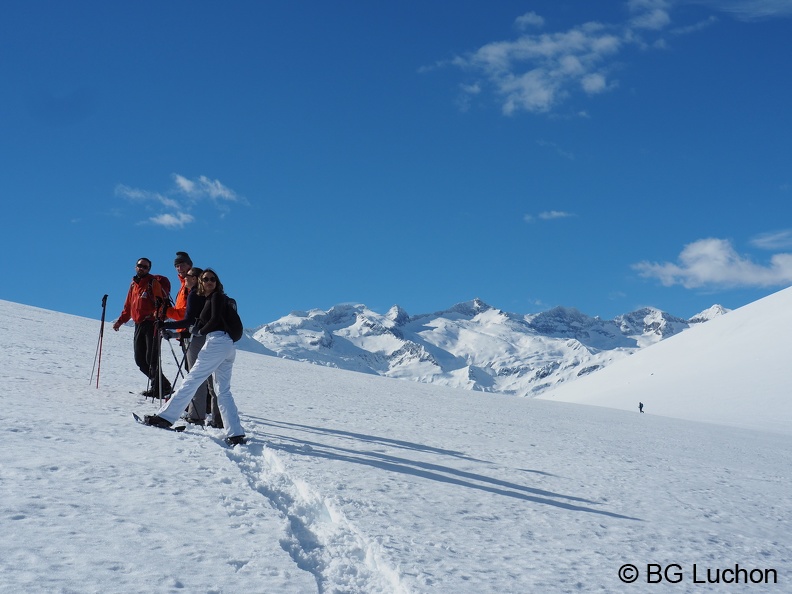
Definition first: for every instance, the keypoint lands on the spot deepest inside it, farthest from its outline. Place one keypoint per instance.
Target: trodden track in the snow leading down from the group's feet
(319, 538)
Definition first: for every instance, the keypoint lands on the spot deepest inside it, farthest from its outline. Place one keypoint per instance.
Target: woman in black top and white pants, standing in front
(216, 357)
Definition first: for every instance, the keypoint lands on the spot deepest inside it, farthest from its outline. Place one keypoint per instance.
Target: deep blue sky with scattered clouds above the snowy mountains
(598, 155)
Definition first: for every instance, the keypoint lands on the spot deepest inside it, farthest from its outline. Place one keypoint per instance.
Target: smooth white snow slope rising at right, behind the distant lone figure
(735, 370)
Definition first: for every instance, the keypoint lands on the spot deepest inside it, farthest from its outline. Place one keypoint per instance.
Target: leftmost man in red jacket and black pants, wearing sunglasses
(145, 292)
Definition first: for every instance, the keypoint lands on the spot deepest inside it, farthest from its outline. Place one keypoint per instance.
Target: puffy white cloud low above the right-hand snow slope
(714, 262)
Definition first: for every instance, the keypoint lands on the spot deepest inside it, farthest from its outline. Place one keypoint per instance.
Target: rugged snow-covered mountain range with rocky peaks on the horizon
(471, 345)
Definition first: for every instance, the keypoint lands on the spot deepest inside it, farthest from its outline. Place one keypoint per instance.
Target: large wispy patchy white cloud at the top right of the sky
(537, 72)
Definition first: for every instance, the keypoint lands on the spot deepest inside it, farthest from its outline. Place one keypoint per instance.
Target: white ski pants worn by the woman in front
(216, 357)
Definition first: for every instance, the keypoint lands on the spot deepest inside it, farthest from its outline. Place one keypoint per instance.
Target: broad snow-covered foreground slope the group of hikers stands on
(362, 484)
